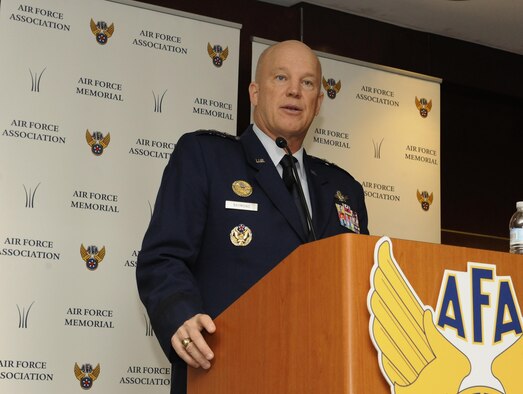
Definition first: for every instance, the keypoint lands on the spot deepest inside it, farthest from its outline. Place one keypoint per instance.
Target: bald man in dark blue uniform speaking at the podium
(224, 217)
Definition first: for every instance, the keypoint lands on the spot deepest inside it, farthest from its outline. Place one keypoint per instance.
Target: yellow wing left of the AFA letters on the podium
(414, 356)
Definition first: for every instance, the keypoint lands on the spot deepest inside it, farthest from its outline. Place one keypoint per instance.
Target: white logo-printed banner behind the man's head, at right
(383, 126)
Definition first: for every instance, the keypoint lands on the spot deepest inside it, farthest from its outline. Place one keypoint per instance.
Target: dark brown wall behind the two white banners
(481, 96)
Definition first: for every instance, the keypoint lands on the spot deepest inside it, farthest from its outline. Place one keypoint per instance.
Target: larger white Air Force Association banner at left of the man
(93, 97)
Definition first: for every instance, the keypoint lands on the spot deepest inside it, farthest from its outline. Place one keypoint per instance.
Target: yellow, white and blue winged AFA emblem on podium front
(471, 344)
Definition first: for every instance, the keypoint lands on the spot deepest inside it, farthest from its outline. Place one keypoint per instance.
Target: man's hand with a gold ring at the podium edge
(189, 344)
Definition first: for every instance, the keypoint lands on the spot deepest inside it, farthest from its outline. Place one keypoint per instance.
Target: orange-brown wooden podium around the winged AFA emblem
(304, 327)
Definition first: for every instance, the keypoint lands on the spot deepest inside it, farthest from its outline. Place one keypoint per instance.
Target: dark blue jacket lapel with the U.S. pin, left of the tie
(269, 180)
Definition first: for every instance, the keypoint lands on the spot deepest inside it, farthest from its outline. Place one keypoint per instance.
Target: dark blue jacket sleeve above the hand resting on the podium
(170, 248)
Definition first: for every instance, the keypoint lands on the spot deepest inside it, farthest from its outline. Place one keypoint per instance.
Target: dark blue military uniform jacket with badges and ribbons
(188, 263)
